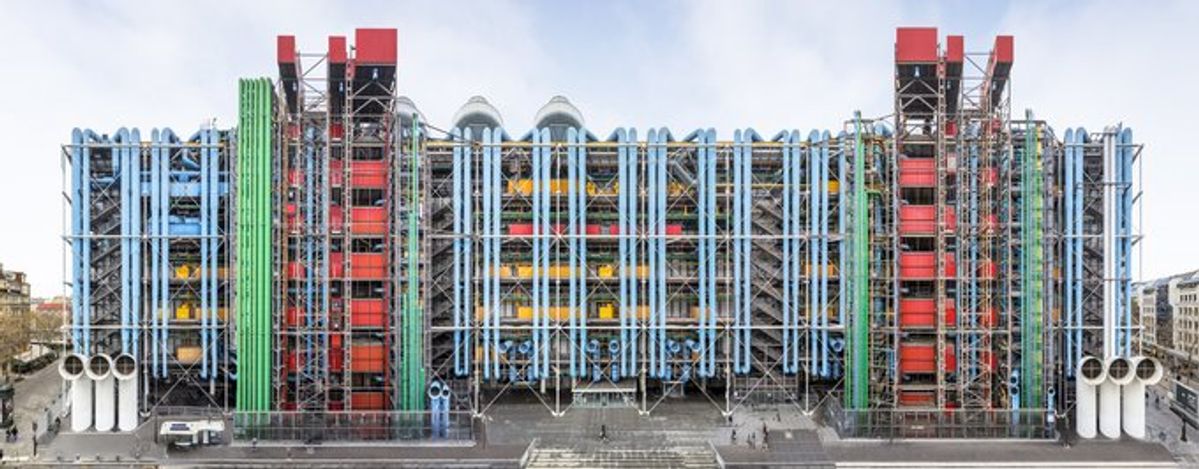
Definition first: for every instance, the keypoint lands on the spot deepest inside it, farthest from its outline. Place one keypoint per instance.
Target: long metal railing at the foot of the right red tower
(941, 424)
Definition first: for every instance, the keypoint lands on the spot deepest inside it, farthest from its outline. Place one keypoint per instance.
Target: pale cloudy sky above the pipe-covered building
(678, 64)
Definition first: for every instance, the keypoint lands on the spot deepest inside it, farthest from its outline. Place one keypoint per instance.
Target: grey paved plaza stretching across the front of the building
(690, 430)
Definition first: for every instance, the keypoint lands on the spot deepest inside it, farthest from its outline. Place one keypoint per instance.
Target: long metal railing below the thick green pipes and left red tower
(379, 426)
